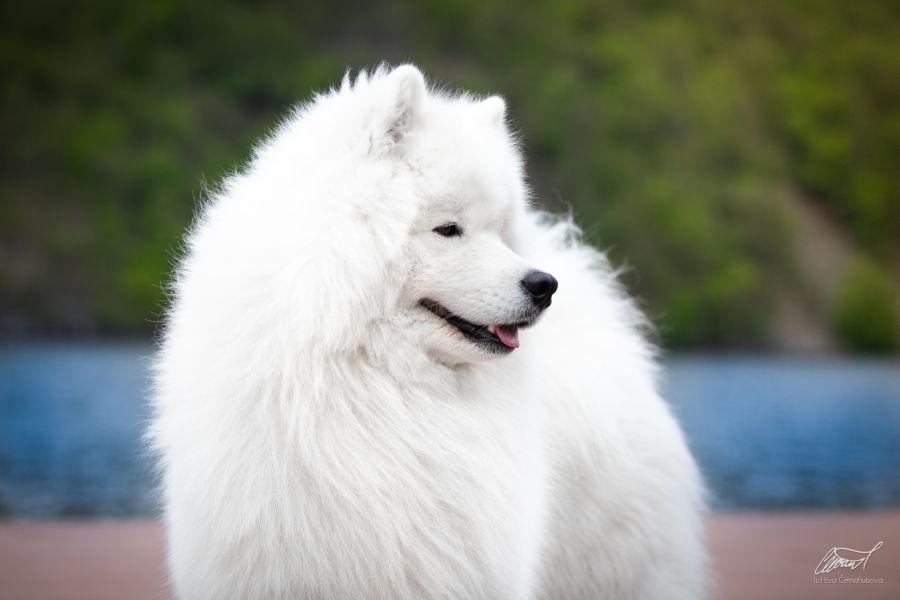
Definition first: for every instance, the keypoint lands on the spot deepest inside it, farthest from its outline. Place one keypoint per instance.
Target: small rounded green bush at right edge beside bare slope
(865, 317)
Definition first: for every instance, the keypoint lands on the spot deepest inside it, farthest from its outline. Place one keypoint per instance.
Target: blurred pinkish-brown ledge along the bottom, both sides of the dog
(764, 555)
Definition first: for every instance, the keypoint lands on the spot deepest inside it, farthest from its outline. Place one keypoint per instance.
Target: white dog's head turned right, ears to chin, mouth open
(468, 291)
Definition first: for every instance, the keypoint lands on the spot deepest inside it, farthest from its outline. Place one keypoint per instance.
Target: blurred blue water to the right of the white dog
(792, 433)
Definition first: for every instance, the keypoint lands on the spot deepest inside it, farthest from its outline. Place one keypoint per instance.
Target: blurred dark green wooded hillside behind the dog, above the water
(676, 132)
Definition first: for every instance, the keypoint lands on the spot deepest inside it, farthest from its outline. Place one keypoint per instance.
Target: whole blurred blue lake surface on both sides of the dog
(768, 433)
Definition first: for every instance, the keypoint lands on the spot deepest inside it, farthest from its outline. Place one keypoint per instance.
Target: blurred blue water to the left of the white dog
(71, 421)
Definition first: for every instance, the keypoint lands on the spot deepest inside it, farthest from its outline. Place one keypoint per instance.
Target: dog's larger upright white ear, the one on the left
(400, 107)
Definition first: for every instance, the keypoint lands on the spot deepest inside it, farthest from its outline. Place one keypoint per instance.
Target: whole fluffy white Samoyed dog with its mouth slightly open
(369, 385)
